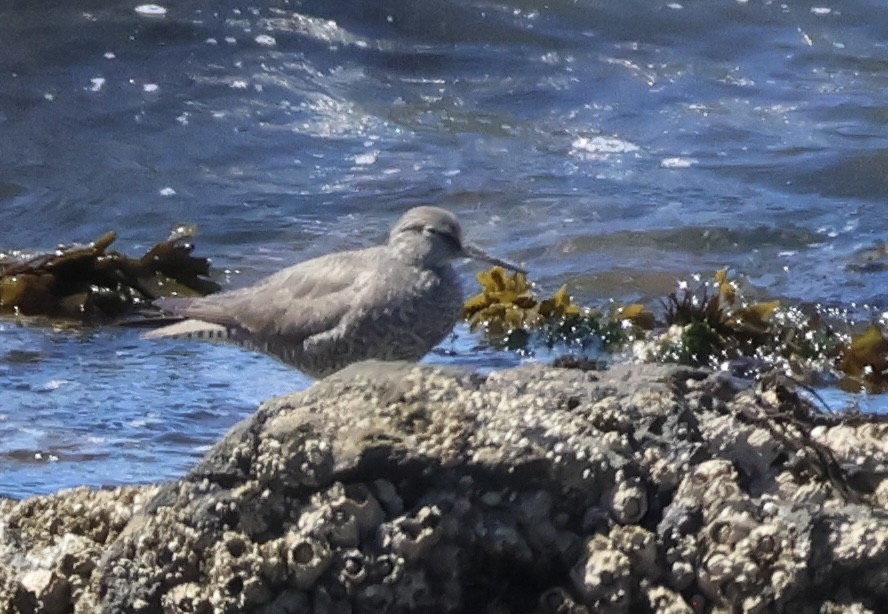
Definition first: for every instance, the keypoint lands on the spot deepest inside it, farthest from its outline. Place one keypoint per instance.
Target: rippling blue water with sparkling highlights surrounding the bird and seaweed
(614, 146)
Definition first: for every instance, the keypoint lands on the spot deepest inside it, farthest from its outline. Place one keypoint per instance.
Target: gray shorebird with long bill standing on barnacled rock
(391, 302)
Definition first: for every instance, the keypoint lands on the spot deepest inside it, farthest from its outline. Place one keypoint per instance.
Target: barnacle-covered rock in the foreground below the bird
(412, 488)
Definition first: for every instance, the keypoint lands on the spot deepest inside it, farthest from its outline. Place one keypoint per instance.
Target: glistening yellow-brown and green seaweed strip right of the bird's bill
(711, 325)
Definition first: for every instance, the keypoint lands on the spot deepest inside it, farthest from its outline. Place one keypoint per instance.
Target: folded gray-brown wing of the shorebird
(303, 300)
